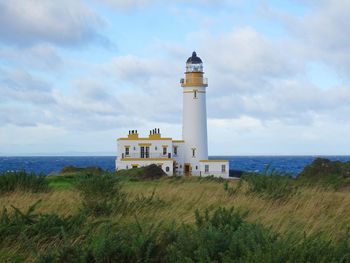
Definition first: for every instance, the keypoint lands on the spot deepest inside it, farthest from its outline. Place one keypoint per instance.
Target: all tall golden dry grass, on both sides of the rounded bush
(310, 210)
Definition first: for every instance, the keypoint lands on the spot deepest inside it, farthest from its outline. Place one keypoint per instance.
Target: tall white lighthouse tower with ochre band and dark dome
(194, 126)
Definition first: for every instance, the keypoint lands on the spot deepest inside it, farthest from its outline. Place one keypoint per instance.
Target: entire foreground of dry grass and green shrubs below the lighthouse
(155, 212)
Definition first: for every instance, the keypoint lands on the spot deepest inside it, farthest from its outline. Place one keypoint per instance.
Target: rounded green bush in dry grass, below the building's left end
(102, 194)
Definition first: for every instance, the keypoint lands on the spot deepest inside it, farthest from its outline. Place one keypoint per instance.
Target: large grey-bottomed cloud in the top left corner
(60, 22)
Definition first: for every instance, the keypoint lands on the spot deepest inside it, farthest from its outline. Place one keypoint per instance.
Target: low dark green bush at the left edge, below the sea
(22, 181)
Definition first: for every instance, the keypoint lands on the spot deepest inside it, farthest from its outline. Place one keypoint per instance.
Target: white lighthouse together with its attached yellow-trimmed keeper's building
(188, 156)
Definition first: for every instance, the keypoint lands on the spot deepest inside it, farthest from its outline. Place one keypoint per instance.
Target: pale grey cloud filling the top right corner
(321, 34)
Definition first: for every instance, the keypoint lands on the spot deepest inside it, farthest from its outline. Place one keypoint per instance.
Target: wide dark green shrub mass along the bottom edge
(223, 235)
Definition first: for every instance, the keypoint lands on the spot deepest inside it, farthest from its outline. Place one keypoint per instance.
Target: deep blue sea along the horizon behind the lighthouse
(48, 165)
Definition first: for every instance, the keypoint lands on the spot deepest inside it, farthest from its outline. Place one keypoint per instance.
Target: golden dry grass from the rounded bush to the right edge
(310, 210)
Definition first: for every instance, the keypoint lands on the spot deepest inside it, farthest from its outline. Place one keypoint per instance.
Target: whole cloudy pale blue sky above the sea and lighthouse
(77, 74)
